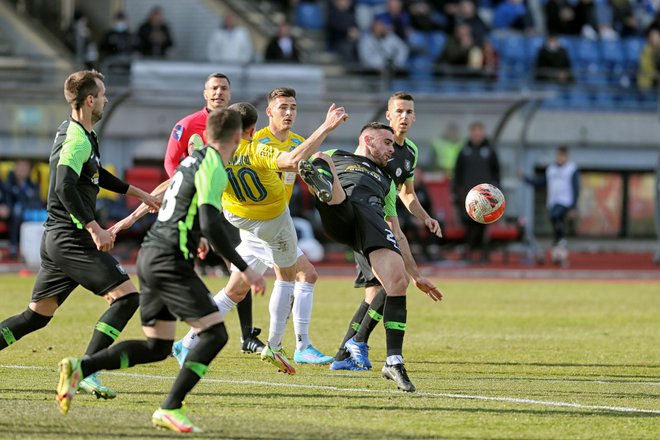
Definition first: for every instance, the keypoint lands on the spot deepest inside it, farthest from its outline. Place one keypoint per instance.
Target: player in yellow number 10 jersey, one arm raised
(257, 203)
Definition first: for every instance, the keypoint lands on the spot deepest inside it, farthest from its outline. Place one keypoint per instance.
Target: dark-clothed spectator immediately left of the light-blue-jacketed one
(341, 29)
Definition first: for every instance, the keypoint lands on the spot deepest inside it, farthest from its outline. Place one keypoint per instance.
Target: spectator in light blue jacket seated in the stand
(382, 51)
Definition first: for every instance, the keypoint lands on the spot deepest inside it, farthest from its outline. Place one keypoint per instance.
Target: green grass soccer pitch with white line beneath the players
(496, 359)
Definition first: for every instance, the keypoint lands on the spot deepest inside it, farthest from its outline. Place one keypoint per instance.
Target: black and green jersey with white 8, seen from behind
(200, 179)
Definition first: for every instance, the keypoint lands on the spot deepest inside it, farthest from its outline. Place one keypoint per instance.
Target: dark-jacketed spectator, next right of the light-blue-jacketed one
(461, 55)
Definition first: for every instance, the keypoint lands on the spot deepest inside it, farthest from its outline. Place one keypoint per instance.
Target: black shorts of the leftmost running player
(69, 259)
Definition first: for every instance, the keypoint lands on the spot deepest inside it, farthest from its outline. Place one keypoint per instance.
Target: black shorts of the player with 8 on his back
(170, 289)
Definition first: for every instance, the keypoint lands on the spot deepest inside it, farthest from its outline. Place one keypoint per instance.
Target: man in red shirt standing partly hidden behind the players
(217, 94)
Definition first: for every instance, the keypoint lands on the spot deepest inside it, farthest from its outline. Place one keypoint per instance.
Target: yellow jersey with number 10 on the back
(255, 189)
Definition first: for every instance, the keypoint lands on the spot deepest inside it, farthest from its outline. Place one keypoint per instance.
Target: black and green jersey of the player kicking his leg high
(365, 182)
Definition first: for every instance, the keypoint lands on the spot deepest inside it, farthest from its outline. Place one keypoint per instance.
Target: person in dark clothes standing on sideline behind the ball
(476, 163)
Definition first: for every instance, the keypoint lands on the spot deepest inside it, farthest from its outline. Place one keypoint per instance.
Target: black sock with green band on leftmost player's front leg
(112, 322)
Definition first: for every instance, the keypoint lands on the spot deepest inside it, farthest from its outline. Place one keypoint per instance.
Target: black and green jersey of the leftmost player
(75, 150)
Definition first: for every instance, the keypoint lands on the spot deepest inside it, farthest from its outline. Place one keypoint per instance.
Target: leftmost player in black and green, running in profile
(74, 247)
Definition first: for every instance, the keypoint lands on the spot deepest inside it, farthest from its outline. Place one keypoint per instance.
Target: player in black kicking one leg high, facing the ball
(362, 215)
